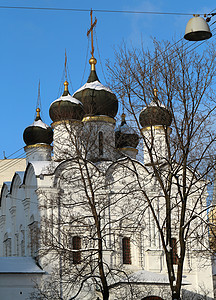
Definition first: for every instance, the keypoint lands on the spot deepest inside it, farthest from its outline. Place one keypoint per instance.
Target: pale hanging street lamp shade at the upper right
(197, 29)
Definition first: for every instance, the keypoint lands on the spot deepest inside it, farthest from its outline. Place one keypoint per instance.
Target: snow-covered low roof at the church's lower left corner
(19, 265)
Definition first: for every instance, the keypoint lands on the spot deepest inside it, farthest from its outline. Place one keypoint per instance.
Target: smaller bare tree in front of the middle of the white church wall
(84, 217)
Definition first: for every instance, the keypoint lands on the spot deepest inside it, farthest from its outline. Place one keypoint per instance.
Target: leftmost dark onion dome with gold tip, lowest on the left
(38, 132)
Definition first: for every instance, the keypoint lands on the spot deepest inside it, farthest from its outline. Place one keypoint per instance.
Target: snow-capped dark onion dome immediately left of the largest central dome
(66, 107)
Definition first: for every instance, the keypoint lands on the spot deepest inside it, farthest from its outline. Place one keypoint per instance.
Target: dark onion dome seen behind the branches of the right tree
(155, 114)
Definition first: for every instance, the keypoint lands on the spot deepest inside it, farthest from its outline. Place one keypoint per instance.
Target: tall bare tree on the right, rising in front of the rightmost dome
(184, 81)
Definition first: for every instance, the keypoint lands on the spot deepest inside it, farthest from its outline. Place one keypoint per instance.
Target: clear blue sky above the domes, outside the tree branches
(33, 44)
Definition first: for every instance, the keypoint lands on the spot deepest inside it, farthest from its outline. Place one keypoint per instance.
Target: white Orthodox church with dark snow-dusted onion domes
(75, 224)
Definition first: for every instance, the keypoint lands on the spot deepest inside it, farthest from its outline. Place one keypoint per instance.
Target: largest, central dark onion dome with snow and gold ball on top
(96, 98)
